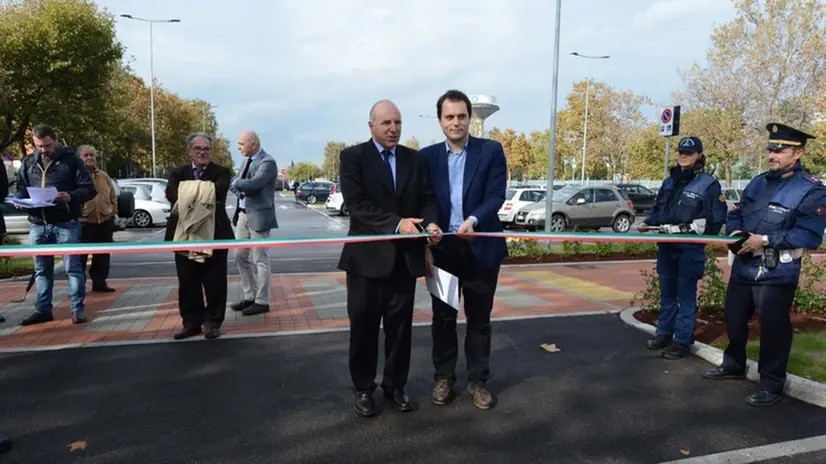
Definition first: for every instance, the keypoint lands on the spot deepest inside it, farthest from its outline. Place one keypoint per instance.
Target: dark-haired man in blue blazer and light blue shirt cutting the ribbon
(468, 176)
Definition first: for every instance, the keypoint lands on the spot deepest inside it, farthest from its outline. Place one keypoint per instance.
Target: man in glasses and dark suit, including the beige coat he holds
(200, 276)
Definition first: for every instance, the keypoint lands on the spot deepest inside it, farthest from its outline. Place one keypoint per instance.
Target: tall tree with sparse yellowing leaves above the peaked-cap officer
(767, 64)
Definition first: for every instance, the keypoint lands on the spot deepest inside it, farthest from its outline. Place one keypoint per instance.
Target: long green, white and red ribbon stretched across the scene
(155, 247)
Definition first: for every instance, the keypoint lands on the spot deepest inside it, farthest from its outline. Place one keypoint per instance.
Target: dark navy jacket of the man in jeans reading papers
(66, 173)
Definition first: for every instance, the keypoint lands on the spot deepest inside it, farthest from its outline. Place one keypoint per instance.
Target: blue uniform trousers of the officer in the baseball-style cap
(679, 271)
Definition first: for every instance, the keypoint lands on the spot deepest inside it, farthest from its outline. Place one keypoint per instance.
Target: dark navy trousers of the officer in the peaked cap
(773, 304)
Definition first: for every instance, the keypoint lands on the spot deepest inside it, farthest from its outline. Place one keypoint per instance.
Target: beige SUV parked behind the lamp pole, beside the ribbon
(583, 207)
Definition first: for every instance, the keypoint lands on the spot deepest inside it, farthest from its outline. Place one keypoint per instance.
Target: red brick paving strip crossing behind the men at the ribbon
(292, 306)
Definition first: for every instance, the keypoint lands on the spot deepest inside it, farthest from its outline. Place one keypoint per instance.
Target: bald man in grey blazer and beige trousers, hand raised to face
(254, 218)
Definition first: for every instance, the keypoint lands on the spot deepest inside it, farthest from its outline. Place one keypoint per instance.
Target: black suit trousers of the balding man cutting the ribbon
(369, 303)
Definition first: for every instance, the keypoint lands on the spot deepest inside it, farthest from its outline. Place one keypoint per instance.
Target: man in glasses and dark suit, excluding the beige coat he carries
(208, 278)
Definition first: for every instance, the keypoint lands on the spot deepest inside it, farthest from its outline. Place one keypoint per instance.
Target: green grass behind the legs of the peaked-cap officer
(807, 358)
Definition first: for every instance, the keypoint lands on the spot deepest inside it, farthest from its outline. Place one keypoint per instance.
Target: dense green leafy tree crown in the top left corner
(56, 58)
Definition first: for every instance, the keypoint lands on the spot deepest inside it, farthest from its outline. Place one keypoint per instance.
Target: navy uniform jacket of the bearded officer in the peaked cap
(790, 209)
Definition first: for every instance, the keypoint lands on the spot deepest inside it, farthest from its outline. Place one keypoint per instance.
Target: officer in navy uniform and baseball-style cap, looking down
(690, 201)
